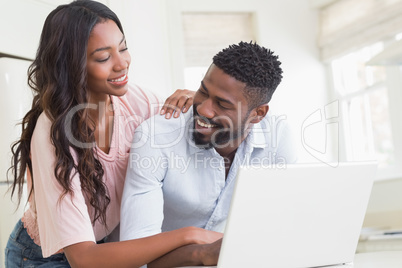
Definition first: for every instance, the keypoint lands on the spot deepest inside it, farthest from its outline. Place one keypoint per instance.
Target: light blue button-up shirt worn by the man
(171, 183)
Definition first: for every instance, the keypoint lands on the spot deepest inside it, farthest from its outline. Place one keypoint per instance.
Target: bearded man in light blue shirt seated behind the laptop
(182, 172)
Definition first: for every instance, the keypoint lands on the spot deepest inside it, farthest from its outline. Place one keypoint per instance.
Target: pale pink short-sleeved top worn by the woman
(55, 223)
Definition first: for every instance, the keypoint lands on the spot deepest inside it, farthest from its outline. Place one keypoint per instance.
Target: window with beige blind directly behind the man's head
(205, 34)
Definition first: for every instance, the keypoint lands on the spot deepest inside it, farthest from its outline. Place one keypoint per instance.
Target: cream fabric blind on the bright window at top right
(349, 24)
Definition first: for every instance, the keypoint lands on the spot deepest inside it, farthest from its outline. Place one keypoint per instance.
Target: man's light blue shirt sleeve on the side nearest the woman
(142, 200)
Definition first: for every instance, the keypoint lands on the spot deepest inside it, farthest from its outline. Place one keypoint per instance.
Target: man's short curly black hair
(253, 65)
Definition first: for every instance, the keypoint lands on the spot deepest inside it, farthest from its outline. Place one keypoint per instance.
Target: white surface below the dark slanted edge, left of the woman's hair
(15, 102)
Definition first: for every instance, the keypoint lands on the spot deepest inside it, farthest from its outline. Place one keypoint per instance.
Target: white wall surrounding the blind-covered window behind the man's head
(154, 33)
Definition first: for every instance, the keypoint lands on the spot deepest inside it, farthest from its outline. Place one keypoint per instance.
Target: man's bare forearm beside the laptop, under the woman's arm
(190, 255)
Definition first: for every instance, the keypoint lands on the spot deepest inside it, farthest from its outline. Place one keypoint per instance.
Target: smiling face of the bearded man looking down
(221, 112)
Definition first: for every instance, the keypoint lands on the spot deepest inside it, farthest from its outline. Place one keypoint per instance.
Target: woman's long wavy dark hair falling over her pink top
(58, 77)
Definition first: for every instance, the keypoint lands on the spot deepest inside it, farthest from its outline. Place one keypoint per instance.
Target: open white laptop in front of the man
(303, 215)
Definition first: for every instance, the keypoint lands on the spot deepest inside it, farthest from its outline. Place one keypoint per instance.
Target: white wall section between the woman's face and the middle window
(145, 26)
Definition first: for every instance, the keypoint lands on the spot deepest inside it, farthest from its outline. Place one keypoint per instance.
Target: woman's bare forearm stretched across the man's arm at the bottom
(137, 252)
